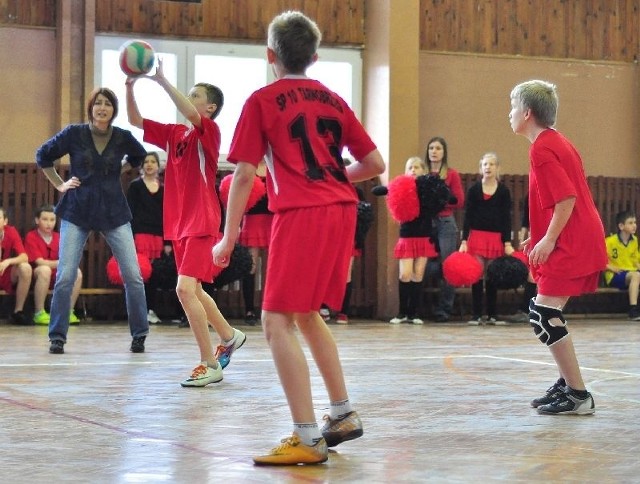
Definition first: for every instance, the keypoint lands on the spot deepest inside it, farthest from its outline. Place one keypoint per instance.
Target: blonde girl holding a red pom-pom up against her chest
(414, 247)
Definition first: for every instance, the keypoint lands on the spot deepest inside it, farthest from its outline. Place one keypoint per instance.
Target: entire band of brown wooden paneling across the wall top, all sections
(586, 29)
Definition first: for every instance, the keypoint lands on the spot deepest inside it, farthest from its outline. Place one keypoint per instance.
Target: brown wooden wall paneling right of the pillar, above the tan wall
(586, 29)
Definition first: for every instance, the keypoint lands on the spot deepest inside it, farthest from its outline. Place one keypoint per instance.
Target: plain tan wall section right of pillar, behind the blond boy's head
(465, 99)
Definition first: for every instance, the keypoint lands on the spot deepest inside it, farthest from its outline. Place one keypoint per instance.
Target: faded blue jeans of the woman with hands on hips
(72, 242)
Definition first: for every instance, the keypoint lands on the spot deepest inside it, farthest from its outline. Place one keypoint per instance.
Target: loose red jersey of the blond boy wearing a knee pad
(556, 174)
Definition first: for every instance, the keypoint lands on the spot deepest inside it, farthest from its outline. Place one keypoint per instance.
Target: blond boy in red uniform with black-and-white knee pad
(566, 243)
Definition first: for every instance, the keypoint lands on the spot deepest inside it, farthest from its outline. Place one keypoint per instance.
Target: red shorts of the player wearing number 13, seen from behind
(309, 258)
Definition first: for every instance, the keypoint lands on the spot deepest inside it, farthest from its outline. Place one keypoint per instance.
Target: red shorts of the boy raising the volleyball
(194, 259)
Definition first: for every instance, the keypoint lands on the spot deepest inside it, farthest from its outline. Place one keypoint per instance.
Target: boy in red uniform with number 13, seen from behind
(301, 127)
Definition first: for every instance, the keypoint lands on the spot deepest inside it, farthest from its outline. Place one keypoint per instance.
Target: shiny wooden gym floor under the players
(440, 403)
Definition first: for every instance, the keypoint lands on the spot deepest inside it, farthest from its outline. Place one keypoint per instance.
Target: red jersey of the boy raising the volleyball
(191, 207)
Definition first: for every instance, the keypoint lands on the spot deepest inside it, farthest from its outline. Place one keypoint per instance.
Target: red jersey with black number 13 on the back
(301, 127)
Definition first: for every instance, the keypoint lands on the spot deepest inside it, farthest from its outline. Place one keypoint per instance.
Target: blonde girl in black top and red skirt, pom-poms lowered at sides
(486, 232)
